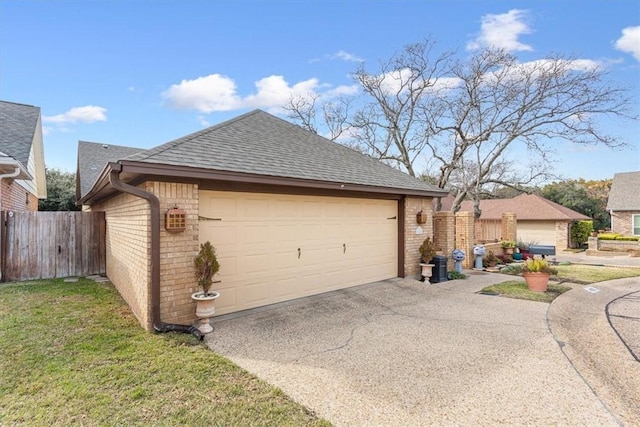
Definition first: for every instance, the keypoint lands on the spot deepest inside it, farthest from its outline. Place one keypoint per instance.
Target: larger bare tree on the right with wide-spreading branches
(500, 101)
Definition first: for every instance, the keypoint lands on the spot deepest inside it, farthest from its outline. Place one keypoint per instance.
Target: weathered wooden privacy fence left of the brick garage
(44, 245)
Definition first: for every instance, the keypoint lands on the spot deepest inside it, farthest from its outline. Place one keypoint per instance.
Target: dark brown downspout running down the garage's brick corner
(154, 205)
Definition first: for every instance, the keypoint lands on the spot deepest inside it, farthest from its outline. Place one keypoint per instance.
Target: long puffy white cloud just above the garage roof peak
(220, 93)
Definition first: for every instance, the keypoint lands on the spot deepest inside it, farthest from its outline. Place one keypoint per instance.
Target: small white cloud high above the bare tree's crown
(502, 31)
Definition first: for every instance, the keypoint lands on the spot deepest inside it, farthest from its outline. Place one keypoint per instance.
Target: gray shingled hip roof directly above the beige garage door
(262, 144)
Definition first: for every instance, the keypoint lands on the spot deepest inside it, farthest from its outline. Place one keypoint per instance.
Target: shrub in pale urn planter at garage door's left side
(206, 266)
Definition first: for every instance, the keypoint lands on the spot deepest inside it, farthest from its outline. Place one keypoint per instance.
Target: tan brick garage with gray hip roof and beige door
(291, 214)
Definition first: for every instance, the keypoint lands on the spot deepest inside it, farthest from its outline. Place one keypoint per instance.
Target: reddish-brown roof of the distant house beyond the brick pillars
(527, 207)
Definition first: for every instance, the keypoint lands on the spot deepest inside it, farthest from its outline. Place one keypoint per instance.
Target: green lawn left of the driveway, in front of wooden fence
(72, 354)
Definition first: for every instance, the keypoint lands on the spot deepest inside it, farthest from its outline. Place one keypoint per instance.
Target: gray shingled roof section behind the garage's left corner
(93, 157)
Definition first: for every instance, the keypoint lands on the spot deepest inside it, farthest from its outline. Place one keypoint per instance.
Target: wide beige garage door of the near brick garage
(274, 248)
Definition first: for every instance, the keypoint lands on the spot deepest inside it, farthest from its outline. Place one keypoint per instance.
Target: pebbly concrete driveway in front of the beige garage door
(405, 353)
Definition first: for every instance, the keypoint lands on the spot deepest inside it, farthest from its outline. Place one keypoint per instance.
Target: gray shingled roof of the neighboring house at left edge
(18, 124)
